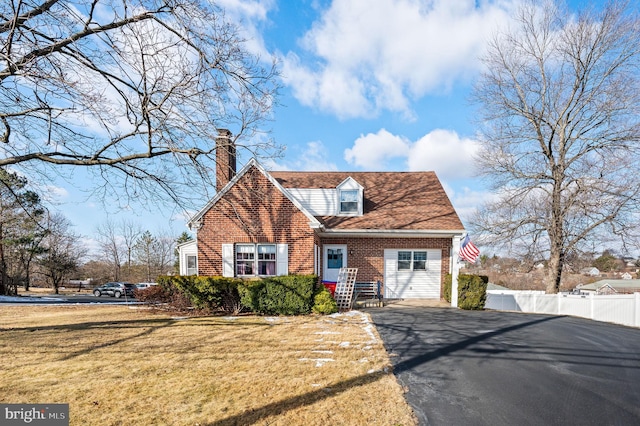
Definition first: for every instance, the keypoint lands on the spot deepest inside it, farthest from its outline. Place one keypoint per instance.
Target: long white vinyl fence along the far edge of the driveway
(618, 308)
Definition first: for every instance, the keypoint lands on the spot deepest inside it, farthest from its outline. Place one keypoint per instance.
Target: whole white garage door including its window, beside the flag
(412, 273)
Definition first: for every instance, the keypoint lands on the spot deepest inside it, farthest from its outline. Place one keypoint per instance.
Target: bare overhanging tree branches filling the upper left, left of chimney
(132, 90)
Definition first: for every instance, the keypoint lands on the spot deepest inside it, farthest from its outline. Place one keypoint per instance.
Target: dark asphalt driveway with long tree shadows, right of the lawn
(500, 368)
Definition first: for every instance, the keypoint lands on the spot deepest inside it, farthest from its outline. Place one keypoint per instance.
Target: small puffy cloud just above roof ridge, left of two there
(372, 151)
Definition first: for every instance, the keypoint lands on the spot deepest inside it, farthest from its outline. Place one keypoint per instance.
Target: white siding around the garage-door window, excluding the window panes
(412, 284)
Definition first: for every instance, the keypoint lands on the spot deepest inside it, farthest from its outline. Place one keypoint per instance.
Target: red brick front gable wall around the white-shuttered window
(254, 211)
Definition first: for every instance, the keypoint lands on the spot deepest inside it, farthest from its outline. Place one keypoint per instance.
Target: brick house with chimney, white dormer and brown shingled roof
(398, 228)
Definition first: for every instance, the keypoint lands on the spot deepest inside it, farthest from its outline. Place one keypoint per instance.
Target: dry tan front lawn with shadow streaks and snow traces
(123, 366)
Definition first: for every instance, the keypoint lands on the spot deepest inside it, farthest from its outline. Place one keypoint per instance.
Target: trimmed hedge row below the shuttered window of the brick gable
(283, 295)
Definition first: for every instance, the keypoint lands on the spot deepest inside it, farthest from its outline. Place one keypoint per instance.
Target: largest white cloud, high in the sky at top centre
(366, 57)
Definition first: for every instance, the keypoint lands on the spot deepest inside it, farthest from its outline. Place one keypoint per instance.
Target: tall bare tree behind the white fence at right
(560, 131)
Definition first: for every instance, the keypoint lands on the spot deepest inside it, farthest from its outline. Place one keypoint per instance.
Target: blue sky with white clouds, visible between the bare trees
(367, 85)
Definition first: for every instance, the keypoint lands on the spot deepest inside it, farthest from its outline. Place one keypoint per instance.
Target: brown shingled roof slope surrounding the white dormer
(392, 200)
